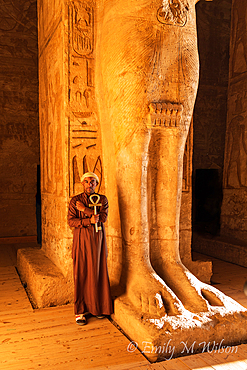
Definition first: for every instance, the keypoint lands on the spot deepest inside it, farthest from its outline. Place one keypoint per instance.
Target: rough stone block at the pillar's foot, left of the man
(45, 282)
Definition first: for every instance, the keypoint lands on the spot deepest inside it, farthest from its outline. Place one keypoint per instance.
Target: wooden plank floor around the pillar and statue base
(50, 339)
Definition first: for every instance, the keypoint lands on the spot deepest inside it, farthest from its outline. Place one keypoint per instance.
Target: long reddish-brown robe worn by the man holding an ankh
(89, 253)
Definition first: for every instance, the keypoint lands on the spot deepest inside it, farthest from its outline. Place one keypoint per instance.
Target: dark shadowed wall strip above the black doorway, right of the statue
(213, 27)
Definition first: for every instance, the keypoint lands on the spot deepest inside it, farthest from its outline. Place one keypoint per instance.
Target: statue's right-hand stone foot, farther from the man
(195, 295)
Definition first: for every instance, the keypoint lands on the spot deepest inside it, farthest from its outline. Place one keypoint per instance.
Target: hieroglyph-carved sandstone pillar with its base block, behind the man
(70, 139)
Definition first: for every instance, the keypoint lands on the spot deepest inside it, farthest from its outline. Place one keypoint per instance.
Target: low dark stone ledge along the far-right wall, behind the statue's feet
(218, 247)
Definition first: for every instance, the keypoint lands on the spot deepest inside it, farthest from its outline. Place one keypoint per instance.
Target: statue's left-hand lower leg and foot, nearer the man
(144, 288)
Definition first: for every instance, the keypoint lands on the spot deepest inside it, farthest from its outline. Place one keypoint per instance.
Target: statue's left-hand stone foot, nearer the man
(150, 295)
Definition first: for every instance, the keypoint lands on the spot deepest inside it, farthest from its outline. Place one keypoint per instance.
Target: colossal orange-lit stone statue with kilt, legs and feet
(147, 77)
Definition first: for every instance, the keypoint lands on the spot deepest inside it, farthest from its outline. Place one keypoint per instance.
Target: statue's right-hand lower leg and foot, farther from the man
(166, 168)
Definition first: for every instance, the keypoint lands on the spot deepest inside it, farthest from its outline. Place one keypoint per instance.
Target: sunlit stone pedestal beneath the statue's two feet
(175, 336)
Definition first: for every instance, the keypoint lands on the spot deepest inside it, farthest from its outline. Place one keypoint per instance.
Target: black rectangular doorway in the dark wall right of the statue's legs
(208, 198)
